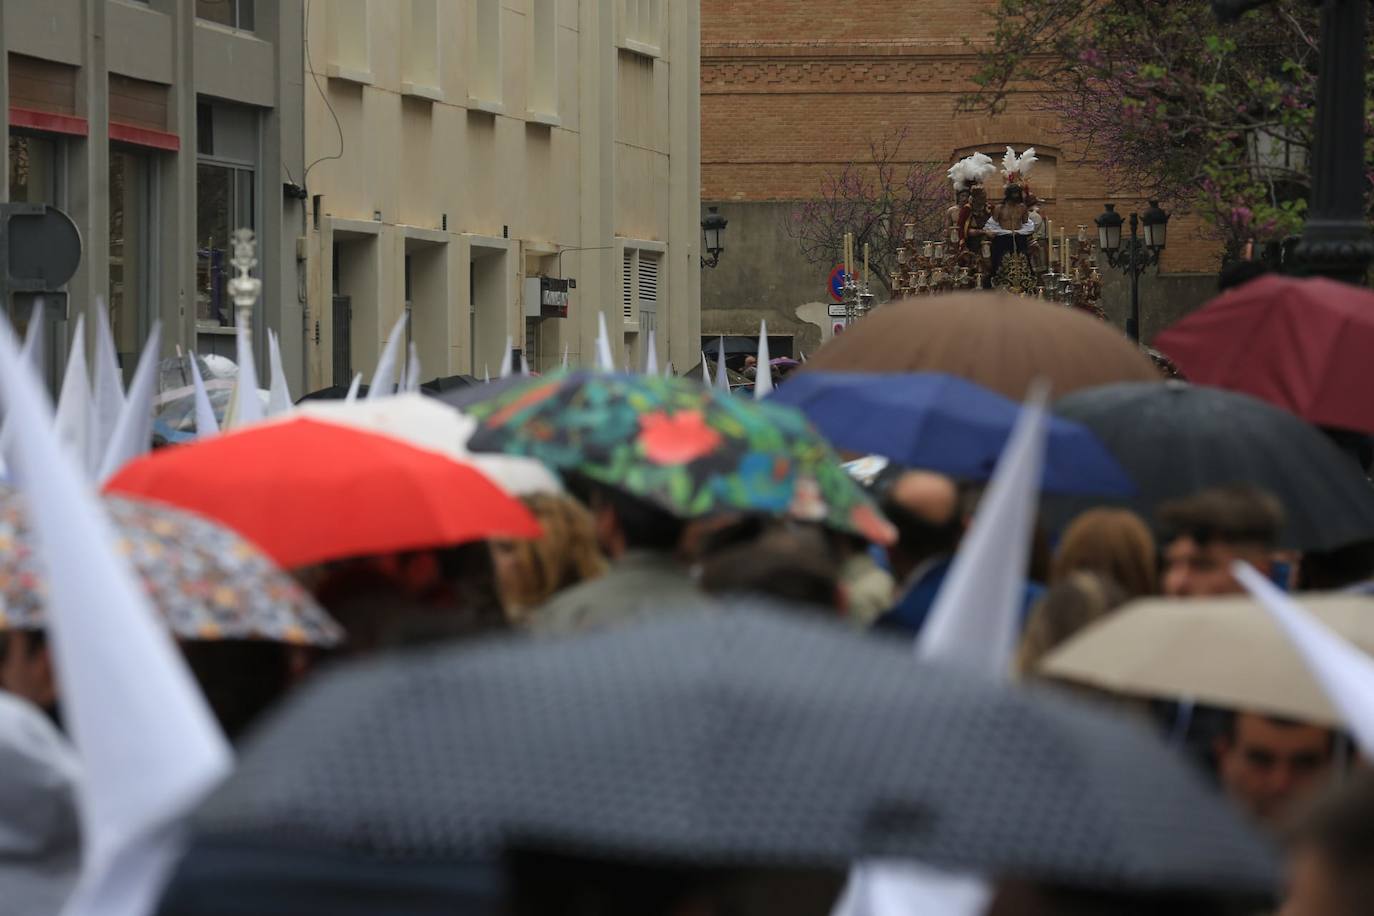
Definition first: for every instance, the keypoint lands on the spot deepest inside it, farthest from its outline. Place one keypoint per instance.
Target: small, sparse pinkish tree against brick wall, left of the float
(873, 200)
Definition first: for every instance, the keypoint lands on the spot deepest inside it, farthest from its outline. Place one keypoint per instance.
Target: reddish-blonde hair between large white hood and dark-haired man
(1112, 543)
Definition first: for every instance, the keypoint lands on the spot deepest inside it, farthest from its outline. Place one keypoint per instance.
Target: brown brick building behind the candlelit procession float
(792, 93)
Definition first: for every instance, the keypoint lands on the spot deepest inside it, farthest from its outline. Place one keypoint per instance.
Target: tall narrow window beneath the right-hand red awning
(133, 214)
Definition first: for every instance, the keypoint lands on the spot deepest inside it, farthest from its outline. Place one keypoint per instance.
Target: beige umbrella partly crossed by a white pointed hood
(1226, 653)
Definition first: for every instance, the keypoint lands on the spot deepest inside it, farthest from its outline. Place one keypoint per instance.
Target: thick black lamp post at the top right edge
(1336, 240)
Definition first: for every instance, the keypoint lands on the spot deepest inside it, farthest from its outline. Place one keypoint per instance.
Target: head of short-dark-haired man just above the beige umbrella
(1206, 534)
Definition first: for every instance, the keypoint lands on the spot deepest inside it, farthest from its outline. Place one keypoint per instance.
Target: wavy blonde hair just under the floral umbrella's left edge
(564, 556)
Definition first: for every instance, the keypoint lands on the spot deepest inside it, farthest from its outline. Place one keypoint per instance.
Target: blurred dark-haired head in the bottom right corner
(1332, 855)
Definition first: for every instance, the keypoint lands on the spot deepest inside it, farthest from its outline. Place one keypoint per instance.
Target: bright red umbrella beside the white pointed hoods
(307, 492)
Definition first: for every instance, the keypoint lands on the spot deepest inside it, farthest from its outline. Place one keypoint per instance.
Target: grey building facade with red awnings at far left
(160, 127)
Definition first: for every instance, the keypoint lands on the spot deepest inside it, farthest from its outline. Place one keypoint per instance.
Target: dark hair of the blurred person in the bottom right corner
(1340, 827)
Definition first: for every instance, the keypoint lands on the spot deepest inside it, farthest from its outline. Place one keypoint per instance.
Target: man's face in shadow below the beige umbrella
(1266, 767)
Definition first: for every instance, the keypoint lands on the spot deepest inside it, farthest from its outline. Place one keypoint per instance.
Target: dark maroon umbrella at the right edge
(1303, 345)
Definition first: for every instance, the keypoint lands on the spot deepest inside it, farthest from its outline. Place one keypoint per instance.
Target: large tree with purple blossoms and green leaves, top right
(1207, 116)
